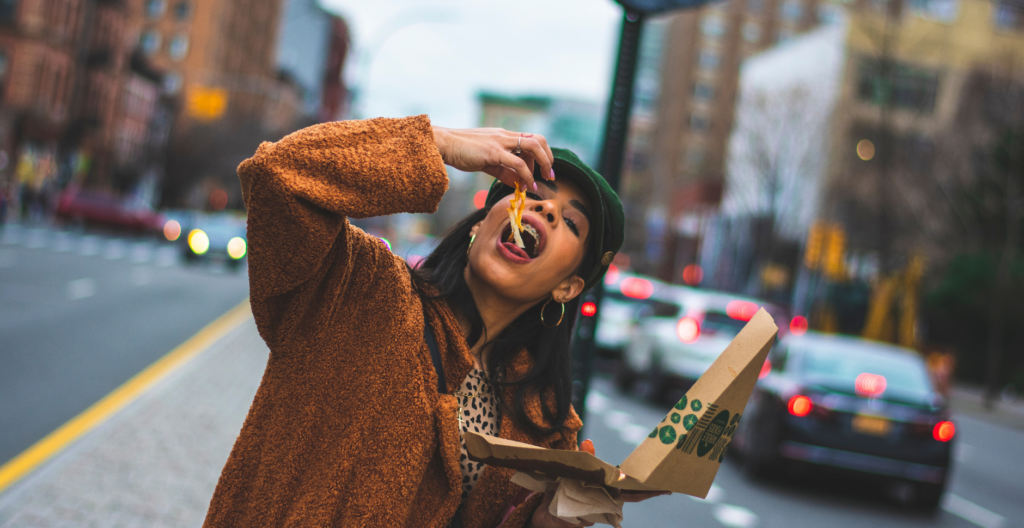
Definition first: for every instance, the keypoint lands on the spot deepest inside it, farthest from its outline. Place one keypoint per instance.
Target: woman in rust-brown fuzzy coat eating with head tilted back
(354, 424)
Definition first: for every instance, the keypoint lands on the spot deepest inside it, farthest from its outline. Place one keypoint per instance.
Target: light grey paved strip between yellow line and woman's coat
(156, 463)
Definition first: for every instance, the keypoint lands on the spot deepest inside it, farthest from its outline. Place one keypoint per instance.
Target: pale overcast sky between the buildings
(434, 58)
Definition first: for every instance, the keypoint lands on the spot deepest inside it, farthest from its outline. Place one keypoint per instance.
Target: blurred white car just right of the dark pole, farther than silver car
(627, 298)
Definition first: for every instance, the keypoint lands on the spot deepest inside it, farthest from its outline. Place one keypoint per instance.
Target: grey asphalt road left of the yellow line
(82, 313)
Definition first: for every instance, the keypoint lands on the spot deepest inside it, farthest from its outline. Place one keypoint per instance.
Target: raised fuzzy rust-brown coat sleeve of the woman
(302, 191)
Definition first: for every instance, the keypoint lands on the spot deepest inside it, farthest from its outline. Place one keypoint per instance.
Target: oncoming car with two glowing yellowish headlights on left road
(217, 238)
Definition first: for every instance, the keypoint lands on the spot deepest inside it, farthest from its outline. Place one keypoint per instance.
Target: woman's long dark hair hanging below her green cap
(552, 372)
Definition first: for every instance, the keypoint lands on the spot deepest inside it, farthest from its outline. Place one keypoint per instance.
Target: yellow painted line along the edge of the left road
(101, 412)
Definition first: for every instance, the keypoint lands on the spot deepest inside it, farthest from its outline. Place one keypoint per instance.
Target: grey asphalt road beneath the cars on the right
(987, 489)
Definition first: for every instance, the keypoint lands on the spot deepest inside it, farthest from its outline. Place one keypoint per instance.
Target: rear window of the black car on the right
(841, 366)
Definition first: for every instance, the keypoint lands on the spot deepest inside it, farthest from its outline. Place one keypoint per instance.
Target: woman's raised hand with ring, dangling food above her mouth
(490, 151)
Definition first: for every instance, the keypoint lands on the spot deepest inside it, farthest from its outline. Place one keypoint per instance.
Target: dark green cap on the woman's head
(608, 231)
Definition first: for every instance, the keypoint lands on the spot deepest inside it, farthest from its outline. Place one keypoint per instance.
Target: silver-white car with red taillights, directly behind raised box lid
(681, 336)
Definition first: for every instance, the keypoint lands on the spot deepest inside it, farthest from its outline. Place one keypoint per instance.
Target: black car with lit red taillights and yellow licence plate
(848, 405)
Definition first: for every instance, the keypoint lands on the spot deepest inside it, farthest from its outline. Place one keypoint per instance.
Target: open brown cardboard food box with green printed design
(684, 453)
